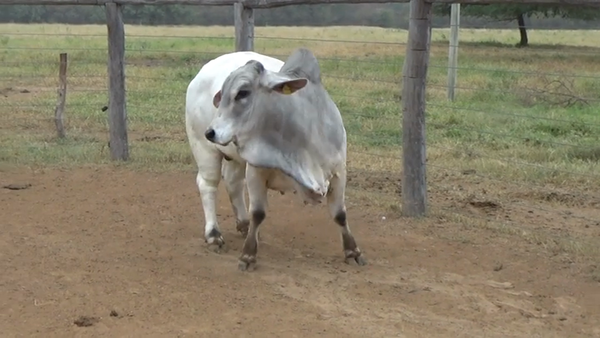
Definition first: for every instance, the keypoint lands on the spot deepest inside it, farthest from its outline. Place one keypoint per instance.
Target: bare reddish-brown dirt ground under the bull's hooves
(115, 253)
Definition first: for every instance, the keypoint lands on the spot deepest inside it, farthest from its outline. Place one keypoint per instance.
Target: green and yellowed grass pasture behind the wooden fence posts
(537, 105)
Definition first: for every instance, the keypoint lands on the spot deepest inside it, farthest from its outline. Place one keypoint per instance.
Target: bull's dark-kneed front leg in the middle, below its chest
(257, 196)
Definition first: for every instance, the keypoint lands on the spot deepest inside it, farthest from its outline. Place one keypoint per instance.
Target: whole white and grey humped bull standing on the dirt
(275, 125)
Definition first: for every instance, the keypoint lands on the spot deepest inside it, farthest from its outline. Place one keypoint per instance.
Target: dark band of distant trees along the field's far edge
(392, 15)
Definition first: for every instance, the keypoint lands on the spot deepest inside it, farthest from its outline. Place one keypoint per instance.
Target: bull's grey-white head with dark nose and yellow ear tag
(236, 99)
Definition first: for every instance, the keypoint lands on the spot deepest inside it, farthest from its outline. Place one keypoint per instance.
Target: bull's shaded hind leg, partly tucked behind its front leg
(233, 175)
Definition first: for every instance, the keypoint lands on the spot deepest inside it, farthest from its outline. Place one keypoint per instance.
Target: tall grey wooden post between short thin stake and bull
(117, 110)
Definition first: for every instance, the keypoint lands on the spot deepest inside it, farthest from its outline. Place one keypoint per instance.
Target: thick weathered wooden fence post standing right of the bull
(414, 184)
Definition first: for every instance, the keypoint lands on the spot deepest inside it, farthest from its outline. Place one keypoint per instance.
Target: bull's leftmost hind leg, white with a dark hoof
(208, 178)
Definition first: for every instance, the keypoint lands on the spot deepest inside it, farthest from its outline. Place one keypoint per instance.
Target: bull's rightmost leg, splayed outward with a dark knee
(337, 209)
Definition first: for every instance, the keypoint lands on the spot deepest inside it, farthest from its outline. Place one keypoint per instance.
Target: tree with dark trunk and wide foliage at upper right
(517, 12)
